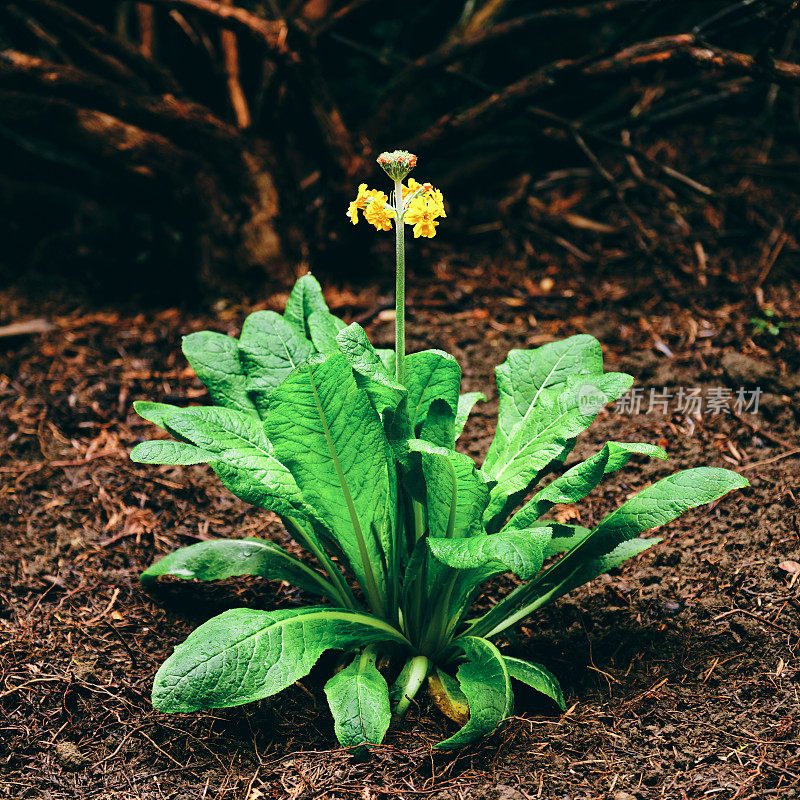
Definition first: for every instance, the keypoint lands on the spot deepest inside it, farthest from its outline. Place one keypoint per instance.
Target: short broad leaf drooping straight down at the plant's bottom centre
(358, 697)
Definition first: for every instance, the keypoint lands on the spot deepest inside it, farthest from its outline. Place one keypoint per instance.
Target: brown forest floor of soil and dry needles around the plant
(682, 672)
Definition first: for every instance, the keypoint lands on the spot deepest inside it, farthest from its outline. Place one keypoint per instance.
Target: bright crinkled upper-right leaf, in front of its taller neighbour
(545, 435)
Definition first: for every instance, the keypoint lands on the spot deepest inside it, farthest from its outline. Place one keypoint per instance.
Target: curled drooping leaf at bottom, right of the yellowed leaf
(485, 681)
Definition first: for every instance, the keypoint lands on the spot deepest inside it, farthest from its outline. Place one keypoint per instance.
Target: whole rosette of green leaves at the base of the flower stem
(400, 527)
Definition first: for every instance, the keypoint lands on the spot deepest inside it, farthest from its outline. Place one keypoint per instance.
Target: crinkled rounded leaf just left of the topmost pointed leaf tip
(270, 348)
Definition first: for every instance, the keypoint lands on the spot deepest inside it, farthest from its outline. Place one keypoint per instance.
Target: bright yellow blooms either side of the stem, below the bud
(423, 205)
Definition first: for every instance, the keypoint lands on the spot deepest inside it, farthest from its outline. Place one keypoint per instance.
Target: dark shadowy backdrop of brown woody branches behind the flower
(166, 148)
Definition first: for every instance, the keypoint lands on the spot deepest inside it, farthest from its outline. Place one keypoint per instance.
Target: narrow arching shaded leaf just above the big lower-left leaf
(226, 558)
